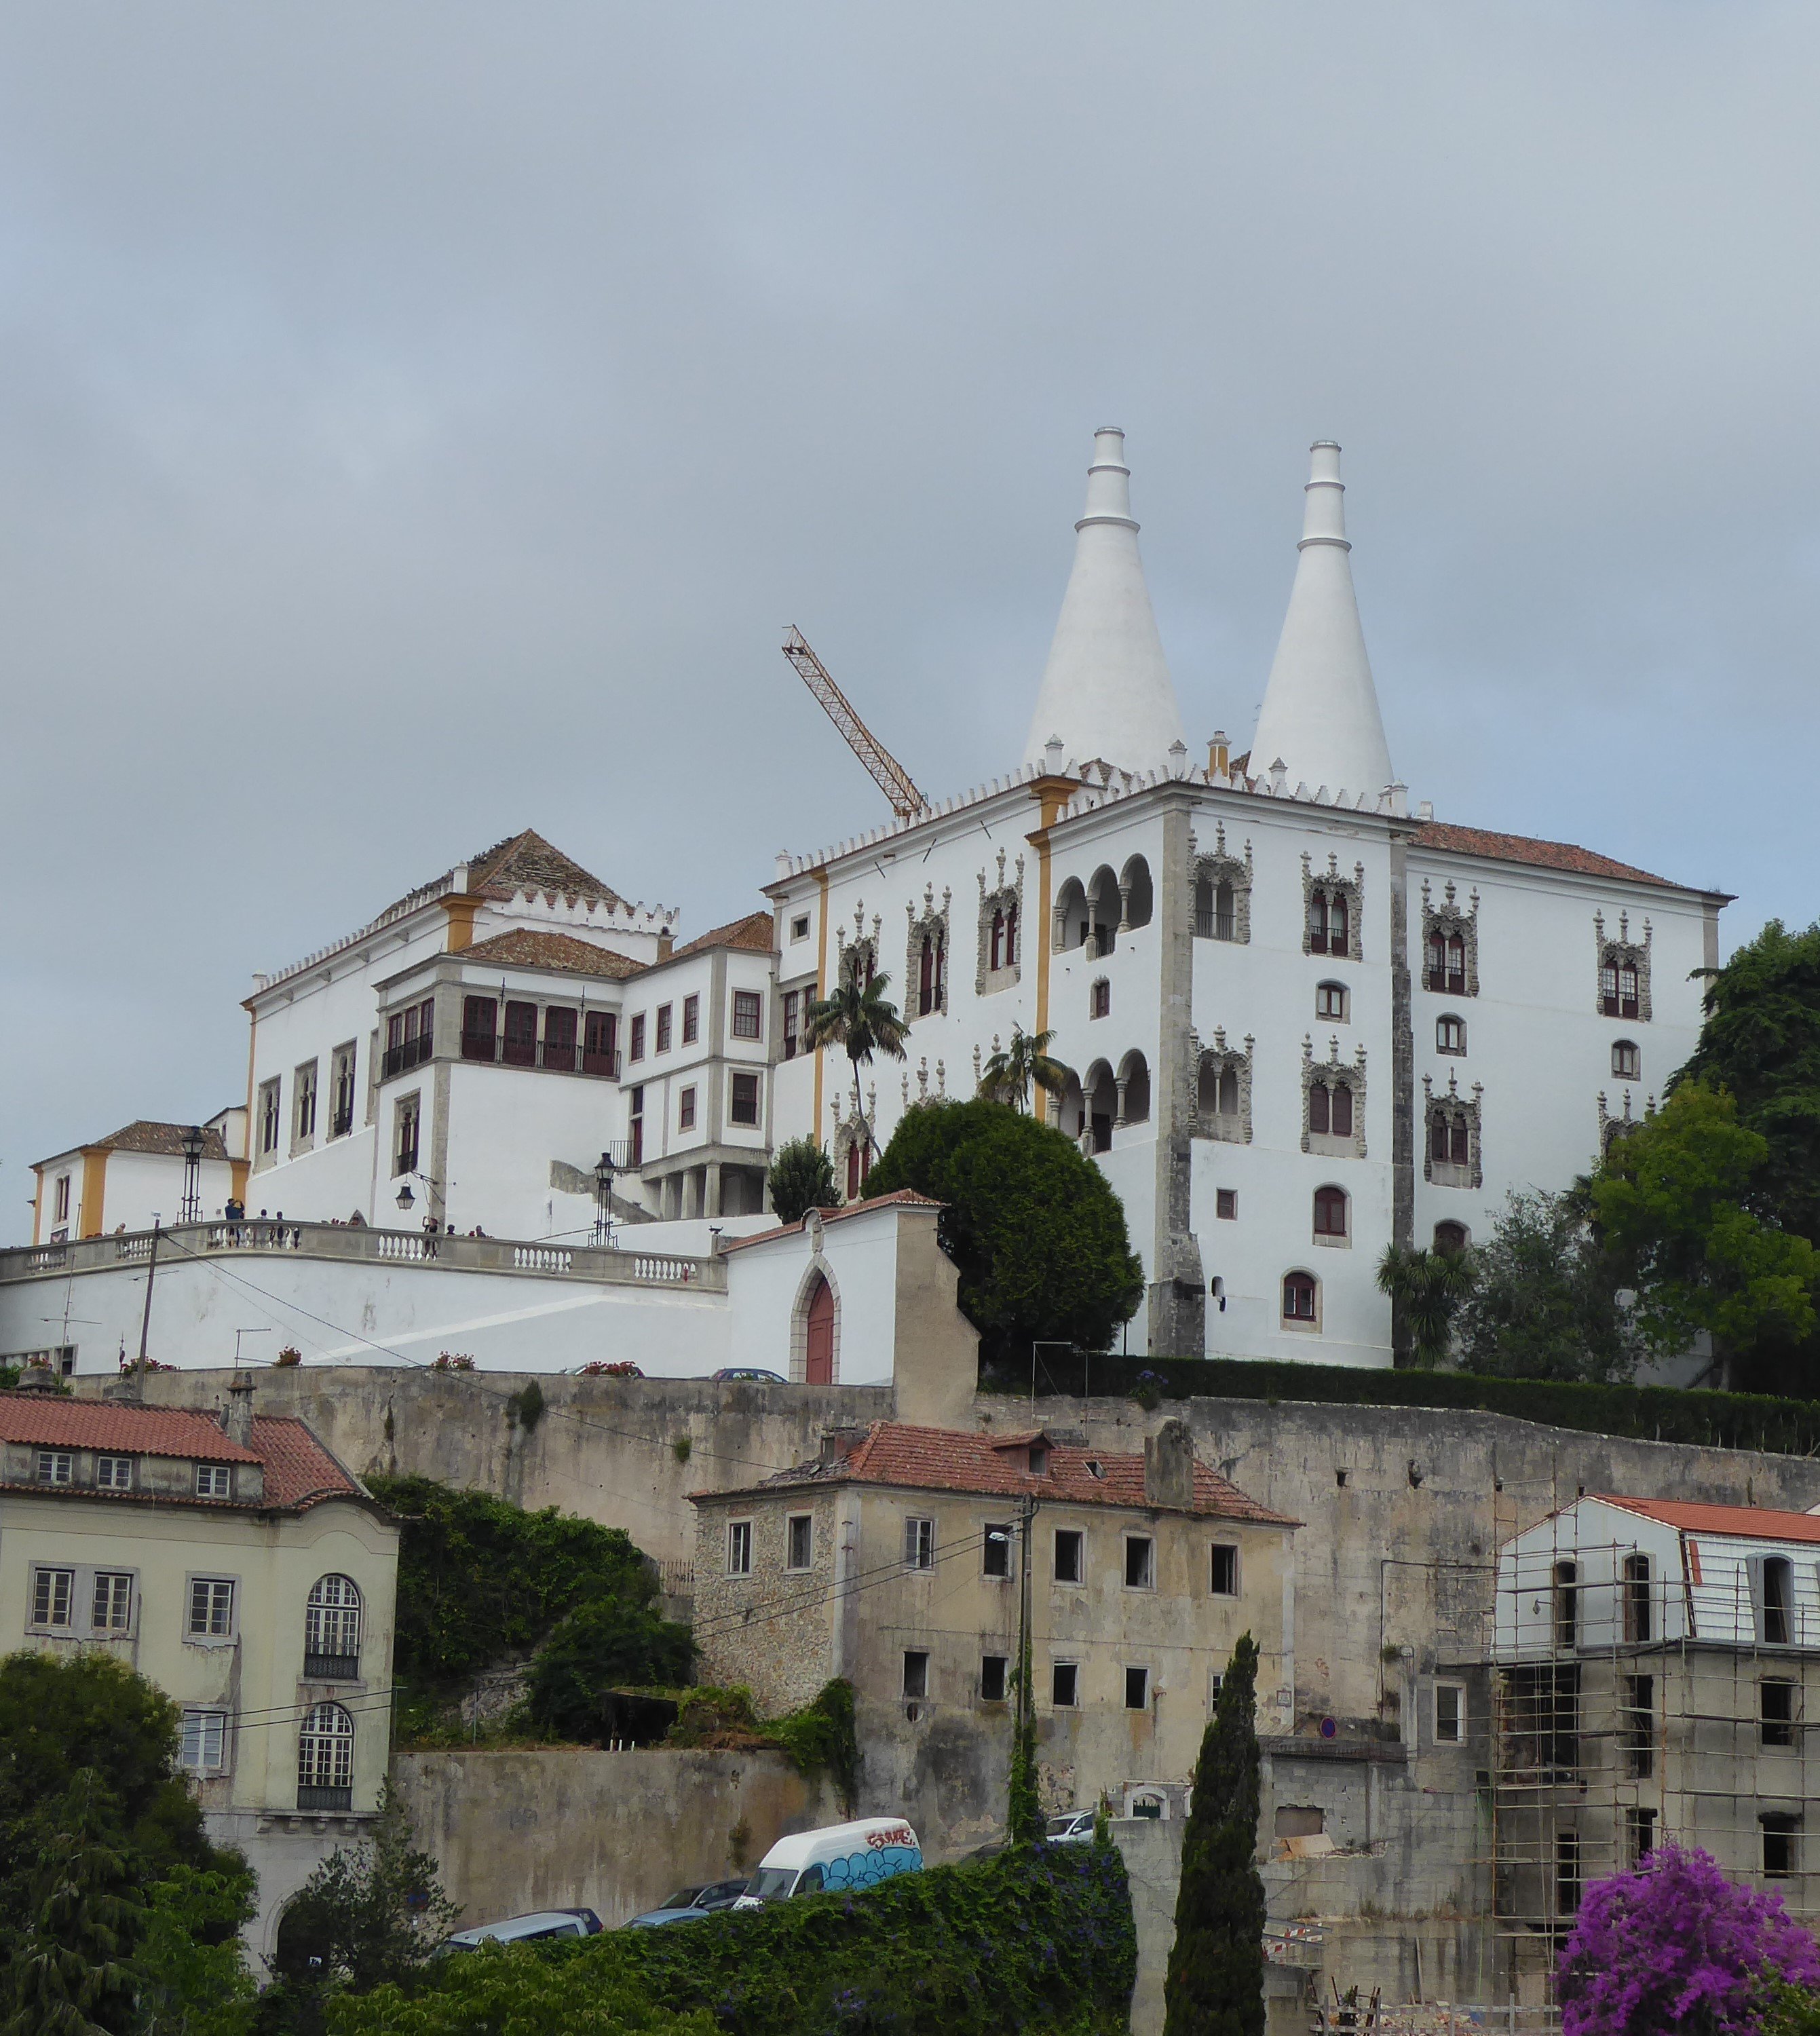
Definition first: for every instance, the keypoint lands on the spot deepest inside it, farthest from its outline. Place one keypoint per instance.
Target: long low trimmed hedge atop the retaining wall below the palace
(1654, 1414)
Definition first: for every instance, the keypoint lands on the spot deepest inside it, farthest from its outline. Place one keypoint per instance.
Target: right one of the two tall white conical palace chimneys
(1320, 710)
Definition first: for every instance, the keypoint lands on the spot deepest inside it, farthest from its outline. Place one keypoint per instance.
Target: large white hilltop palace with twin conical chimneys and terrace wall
(1306, 1021)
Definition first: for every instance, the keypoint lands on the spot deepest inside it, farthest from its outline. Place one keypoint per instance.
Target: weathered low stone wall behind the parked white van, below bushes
(606, 1831)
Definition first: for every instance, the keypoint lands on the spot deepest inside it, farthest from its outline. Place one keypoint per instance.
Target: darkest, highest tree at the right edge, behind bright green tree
(1762, 1045)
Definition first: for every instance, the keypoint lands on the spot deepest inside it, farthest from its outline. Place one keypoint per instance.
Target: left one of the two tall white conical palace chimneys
(1106, 687)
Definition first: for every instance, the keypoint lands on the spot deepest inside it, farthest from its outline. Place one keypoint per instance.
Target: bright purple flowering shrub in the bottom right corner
(1676, 1947)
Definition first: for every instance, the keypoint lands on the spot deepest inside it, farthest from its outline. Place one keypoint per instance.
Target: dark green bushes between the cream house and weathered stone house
(481, 1579)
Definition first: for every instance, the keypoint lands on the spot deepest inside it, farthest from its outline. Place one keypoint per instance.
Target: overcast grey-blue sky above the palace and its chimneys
(420, 420)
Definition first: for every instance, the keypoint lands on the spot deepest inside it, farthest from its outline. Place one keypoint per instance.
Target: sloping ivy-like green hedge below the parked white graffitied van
(1035, 1941)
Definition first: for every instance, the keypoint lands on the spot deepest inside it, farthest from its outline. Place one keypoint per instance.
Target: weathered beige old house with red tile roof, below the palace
(905, 1561)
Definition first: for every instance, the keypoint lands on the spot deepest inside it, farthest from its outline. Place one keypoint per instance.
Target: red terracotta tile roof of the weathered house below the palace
(980, 1461)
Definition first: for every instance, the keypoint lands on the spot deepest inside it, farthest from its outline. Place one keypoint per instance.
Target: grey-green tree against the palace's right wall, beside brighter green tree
(1544, 1298)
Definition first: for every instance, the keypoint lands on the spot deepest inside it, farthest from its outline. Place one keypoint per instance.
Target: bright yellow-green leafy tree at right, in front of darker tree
(1672, 1204)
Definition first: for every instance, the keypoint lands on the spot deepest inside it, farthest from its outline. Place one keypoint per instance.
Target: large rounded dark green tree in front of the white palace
(1035, 1229)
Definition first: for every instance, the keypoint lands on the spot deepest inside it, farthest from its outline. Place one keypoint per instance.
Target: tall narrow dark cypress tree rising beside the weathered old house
(1216, 1966)
